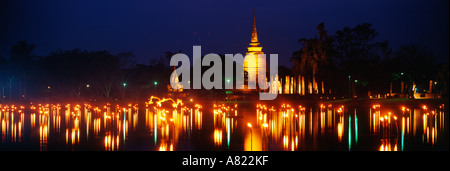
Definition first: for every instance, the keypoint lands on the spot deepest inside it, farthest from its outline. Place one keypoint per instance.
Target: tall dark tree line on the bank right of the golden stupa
(353, 61)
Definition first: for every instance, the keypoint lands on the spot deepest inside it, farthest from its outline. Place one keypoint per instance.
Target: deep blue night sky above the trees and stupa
(149, 28)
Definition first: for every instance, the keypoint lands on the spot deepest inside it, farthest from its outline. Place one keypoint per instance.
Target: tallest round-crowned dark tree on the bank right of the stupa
(359, 55)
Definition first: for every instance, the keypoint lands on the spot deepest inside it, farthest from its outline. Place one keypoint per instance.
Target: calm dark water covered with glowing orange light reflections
(217, 127)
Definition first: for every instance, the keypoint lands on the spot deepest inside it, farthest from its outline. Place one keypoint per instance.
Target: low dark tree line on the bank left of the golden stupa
(78, 75)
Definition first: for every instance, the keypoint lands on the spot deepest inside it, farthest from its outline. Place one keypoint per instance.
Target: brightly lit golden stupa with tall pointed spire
(253, 64)
